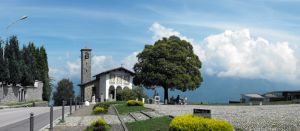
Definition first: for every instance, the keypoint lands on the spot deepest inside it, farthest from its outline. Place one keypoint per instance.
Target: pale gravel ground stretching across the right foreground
(253, 118)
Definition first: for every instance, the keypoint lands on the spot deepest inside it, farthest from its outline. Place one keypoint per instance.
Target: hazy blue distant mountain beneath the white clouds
(219, 89)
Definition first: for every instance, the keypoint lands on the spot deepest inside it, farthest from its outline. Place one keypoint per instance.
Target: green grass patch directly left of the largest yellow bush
(155, 124)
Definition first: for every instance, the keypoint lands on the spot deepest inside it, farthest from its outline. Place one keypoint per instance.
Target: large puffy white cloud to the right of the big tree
(237, 54)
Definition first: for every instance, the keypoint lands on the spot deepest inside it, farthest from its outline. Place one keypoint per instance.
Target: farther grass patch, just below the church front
(124, 109)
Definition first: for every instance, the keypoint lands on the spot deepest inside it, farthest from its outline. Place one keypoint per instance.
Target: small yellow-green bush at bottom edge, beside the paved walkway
(98, 125)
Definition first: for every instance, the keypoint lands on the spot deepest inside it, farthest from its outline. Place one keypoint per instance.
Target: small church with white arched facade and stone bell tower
(106, 84)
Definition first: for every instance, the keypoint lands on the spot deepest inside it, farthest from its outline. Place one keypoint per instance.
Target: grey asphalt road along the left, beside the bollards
(17, 119)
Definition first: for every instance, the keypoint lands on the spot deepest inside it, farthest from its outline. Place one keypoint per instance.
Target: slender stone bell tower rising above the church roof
(85, 65)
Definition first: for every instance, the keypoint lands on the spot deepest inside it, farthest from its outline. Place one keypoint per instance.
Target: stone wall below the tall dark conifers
(9, 93)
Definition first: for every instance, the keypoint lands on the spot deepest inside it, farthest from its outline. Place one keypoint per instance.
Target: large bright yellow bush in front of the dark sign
(196, 123)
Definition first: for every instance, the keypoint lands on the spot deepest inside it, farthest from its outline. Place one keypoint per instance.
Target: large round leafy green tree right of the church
(171, 64)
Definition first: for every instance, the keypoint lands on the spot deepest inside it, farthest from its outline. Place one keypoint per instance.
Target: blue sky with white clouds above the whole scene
(249, 40)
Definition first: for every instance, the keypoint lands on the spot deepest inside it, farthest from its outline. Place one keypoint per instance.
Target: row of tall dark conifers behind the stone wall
(24, 65)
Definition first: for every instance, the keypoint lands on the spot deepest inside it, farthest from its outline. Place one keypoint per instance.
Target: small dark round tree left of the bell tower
(64, 91)
